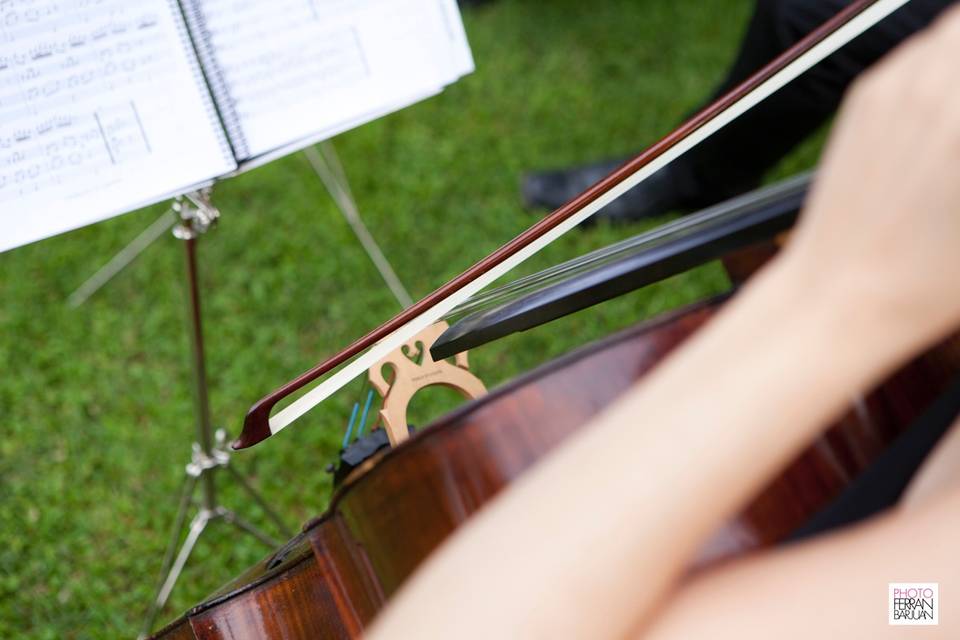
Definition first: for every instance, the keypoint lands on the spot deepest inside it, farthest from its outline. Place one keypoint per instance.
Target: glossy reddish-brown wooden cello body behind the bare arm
(393, 511)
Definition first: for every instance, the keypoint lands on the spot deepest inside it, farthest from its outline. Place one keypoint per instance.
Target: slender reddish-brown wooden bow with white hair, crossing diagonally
(853, 20)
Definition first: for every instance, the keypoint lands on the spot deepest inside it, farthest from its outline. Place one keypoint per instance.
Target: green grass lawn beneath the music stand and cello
(96, 404)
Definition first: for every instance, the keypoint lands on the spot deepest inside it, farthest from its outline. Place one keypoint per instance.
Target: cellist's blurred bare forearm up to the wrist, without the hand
(586, 542)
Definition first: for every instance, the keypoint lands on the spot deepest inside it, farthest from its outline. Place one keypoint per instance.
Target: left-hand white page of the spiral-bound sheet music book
(102, 110)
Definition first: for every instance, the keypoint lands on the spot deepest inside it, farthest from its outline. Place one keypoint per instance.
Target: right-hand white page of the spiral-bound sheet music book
(293, 70)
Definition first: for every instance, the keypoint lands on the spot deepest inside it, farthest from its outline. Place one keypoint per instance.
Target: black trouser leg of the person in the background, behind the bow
(736, 158)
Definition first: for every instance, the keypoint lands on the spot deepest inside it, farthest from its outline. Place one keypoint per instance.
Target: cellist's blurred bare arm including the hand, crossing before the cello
(588, 542)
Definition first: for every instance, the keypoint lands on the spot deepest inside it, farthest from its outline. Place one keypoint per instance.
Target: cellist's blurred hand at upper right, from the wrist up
(881, 232)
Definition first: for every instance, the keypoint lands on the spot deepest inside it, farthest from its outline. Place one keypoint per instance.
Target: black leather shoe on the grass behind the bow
(664, 192)
